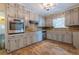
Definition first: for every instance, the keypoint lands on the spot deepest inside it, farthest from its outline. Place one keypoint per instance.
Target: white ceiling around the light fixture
(60, 7)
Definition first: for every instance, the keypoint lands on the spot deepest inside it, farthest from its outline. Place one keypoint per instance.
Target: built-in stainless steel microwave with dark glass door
(16, 26)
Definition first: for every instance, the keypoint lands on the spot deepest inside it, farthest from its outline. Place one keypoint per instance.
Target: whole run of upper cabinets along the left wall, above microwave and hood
(18, 11)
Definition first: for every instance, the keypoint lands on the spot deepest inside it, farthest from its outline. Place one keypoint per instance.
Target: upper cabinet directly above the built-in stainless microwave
(15, 10)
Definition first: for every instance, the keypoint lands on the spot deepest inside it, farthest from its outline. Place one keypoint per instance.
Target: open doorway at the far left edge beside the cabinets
(2, 30)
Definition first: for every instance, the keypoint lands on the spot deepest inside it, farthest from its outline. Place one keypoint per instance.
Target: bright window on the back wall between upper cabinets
(59, 23)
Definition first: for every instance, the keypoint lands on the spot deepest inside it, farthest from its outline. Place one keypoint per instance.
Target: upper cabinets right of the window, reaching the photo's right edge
(72, 17)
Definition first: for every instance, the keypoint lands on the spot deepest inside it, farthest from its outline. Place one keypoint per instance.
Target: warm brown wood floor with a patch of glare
(47, 47)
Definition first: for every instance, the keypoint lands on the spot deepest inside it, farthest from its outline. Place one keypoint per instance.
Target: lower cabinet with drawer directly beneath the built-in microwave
(14, 42)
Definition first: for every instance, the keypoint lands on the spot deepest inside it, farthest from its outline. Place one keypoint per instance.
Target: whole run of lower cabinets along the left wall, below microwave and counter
(15, 42)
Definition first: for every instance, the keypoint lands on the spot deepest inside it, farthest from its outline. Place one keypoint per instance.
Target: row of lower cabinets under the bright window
(62, 36)
